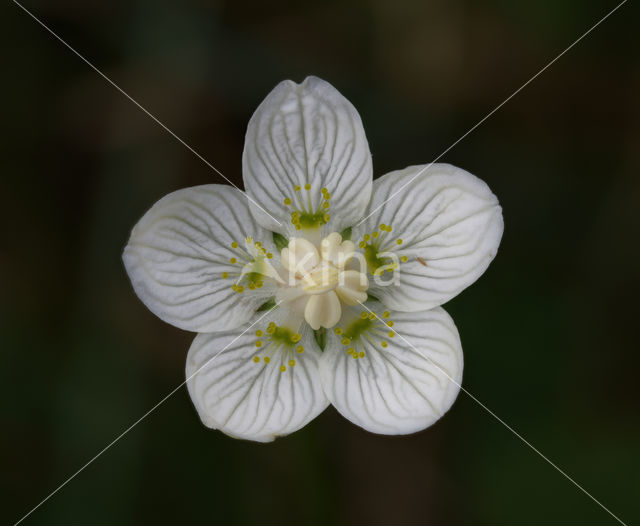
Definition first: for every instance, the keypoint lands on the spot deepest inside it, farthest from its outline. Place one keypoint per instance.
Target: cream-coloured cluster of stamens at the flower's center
(321, 279)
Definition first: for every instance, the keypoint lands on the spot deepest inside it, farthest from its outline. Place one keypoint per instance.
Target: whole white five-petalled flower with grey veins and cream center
(319, 285)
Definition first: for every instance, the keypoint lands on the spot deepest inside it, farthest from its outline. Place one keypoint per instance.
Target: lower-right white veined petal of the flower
(404, 387)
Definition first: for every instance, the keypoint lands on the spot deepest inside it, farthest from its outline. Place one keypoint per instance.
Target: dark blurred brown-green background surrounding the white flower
(550, 332)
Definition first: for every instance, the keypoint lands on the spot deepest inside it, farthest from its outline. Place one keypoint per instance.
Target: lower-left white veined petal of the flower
(254, 401)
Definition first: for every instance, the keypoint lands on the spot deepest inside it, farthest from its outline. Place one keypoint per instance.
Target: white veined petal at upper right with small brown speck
(450, 225)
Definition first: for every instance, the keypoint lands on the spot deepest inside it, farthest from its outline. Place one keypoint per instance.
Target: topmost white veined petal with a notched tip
(307, 133)
